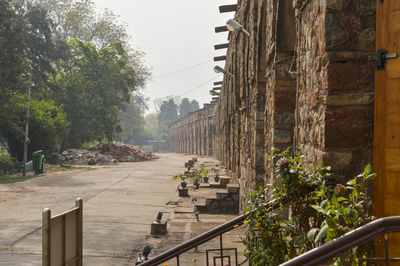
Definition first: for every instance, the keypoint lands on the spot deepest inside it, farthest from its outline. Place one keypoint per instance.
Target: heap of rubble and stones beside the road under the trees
(106, 153)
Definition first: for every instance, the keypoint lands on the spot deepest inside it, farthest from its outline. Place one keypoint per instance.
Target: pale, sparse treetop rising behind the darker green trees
(78, 19)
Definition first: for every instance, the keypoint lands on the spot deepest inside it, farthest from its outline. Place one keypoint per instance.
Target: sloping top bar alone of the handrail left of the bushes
(197, 241)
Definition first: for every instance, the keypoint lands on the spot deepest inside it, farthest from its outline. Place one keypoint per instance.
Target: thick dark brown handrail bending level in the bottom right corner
(350, 240)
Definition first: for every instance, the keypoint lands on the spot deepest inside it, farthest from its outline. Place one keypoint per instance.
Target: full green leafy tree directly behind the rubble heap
(96, 83)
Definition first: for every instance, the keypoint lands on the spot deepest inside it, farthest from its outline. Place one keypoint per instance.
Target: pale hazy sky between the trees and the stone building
(175, 34)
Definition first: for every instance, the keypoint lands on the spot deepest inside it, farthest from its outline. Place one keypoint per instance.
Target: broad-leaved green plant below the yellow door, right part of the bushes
(344, 209)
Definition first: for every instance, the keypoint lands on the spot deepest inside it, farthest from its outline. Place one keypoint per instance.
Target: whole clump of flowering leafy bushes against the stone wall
(304, 209)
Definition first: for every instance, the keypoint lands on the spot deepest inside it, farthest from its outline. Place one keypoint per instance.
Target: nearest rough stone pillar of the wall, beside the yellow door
(335, 114)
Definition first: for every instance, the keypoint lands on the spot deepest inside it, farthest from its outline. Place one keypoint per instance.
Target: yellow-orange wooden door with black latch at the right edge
(387, 116)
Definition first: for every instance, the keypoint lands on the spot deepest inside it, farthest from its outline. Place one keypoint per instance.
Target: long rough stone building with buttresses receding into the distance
(304, 78)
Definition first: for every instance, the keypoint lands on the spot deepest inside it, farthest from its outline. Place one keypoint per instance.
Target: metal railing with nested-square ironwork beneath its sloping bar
(197, 241)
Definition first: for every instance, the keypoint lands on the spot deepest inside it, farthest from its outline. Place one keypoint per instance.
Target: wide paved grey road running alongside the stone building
(120, 202)
